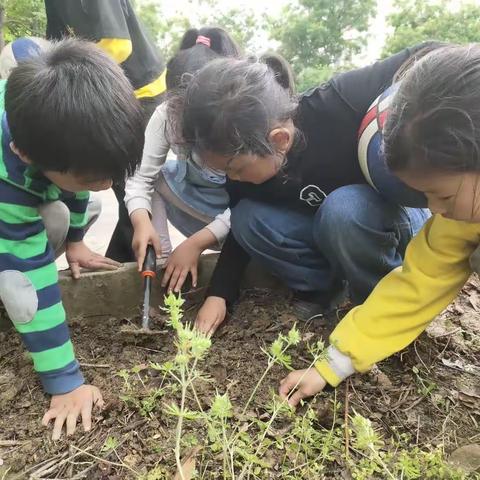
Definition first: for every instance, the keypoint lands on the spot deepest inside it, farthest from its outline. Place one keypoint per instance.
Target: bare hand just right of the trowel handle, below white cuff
(182, 261)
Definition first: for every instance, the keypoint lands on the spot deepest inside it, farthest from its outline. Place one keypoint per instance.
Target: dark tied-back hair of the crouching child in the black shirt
(231, 106)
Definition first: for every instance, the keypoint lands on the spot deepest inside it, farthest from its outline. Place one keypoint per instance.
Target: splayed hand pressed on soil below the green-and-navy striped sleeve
(68, 407)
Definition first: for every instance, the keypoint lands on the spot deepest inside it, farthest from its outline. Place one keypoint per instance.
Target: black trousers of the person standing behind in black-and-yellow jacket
(120, 247)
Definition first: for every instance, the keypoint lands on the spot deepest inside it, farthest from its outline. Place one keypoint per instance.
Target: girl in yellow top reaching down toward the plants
(432, 142)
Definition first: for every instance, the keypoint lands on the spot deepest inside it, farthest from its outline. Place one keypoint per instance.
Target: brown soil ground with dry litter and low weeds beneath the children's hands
(427, 397)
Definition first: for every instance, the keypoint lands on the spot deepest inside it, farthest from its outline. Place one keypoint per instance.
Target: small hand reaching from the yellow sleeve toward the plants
(306, 382)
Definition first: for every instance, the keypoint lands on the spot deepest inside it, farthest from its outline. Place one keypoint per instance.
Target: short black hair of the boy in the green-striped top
(71, 109)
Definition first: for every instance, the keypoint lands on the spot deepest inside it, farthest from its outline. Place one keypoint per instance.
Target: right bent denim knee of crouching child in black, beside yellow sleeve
(363, 236)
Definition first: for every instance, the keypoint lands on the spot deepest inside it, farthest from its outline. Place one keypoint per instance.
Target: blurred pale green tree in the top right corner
(415, 21)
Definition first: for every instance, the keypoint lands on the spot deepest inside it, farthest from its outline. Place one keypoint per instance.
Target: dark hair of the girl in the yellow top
(434, 119)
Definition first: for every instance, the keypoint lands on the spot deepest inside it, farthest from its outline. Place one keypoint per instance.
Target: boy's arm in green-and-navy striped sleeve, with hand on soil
(30, 293)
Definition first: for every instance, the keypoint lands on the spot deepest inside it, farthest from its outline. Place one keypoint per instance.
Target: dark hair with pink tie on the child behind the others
(192, 56)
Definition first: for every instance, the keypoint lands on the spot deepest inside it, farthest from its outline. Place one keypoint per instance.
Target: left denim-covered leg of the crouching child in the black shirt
(281, 241)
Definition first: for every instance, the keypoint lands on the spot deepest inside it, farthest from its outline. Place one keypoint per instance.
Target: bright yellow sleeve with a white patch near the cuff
(402, 305)
